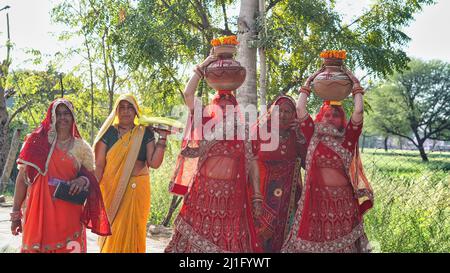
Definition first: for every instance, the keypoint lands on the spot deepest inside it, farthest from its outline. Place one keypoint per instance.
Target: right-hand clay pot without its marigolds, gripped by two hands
(333, 83)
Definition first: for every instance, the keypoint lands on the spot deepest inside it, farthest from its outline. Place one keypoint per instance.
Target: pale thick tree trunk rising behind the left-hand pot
(246, 94)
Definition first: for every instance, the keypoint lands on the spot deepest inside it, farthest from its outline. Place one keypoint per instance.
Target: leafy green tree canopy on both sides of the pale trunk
(154, 43)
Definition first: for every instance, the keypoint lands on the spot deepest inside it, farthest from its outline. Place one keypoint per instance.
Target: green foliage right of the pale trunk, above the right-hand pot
(302, 29)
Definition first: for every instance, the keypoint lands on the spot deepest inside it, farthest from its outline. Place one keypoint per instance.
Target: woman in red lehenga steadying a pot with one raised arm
(213, 176)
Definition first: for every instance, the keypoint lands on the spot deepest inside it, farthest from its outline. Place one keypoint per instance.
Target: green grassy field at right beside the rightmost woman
(412, 201)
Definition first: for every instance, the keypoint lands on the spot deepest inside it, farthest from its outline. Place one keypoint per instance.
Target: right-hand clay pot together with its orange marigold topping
(331, 82)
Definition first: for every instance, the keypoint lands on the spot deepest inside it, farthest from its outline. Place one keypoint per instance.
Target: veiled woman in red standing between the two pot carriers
(280, 173)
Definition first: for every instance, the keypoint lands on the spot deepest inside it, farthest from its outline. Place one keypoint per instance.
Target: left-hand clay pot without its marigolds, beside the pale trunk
(225, 73)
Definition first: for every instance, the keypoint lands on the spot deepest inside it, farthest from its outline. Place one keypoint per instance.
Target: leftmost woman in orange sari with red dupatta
(55, 153)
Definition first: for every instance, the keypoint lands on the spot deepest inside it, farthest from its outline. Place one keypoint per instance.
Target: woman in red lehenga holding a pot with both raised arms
(336, 193)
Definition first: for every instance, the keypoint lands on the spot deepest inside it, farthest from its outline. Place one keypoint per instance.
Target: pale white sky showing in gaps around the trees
(31, 27)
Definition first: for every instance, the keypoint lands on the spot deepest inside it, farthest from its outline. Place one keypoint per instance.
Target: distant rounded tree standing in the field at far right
(414, 104)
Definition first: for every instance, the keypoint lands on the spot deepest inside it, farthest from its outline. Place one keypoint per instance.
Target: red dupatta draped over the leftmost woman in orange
(36, 153)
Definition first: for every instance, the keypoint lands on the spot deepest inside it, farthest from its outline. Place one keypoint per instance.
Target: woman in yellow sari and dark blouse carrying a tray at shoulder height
(124, 151)
